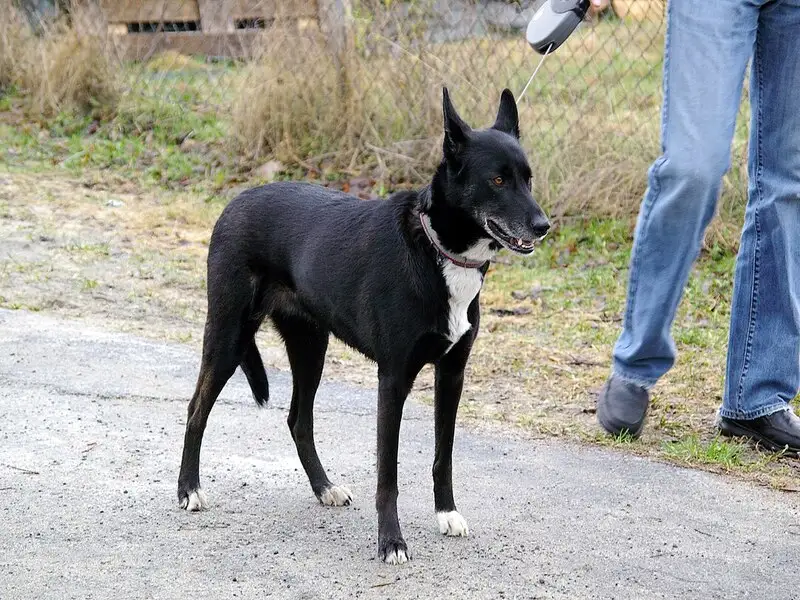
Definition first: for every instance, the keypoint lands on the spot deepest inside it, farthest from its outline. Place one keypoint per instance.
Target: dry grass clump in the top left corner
(58, 70)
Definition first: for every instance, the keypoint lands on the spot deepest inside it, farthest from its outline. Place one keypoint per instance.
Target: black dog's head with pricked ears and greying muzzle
(488, 178)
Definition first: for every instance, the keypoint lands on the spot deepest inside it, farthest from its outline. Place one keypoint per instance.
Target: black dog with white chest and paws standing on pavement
(397, 280)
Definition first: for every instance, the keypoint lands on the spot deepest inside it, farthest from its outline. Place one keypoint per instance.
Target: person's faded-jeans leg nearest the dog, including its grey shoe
(706, 53)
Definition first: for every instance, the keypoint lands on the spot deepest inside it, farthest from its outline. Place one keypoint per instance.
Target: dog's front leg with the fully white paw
(449, 383)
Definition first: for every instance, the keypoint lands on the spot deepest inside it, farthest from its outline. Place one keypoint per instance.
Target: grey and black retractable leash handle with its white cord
(550, 26)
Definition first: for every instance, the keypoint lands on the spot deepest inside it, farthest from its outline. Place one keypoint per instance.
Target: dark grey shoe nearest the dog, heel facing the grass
(622, 406)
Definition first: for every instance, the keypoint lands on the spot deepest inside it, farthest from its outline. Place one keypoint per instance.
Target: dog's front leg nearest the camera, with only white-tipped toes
(392, 392)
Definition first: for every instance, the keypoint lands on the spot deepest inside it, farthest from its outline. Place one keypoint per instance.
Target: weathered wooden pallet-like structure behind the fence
(213, 28)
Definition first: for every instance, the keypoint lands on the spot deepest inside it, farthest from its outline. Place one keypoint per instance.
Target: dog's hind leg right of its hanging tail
(306, 345)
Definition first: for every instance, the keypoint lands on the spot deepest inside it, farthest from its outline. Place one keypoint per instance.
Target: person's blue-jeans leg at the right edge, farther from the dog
(763, 370)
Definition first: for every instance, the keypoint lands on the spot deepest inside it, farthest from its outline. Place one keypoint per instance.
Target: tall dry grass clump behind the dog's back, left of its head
(291, 103)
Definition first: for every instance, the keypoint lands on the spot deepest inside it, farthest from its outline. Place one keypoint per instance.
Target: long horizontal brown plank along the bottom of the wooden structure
(222, 45)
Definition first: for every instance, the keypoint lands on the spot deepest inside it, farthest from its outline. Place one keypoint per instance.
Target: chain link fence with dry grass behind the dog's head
(356, 84)
